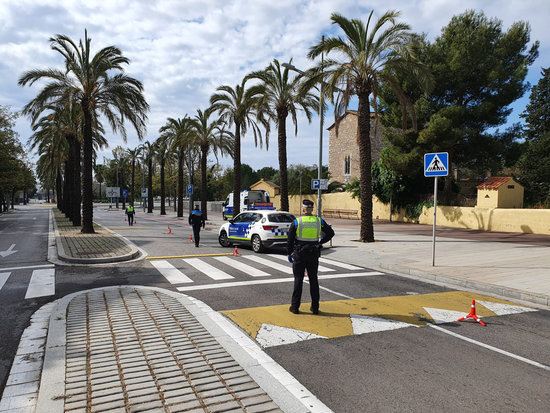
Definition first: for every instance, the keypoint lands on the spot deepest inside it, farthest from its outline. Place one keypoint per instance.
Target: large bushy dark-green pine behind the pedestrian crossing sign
(478, 71)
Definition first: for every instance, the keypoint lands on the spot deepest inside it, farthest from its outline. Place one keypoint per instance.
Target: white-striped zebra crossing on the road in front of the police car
(210, 272)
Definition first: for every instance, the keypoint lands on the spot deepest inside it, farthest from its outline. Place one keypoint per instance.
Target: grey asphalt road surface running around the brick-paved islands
(405, 369)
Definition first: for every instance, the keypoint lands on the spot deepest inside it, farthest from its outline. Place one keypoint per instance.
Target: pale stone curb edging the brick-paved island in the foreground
(287, 392)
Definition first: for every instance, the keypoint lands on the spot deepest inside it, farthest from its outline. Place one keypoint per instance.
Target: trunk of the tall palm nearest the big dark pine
(365, 184)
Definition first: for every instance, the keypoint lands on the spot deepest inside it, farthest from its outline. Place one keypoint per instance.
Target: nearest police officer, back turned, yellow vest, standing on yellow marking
(305, 237)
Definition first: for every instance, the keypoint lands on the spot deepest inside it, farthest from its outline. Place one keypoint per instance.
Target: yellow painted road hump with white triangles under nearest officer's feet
(334, 317)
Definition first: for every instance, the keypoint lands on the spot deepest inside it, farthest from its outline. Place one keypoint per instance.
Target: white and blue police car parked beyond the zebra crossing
(260, 229)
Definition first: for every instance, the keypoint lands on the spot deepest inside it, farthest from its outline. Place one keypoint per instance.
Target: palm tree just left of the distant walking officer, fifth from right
(179, 133)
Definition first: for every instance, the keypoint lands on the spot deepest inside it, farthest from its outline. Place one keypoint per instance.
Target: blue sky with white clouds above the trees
(183, 50)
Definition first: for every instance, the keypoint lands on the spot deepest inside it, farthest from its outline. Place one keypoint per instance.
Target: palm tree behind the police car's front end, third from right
(238, 107)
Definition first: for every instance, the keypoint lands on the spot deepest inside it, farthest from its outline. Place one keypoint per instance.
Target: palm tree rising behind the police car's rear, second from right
(283, 96)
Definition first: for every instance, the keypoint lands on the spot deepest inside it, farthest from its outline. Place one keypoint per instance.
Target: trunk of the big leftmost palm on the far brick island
(87, 196)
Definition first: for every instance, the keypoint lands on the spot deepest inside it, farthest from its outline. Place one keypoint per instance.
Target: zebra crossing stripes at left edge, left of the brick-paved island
(41, 283)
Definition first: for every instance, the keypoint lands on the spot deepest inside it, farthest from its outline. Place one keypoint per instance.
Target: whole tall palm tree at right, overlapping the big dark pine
(368, 54)
